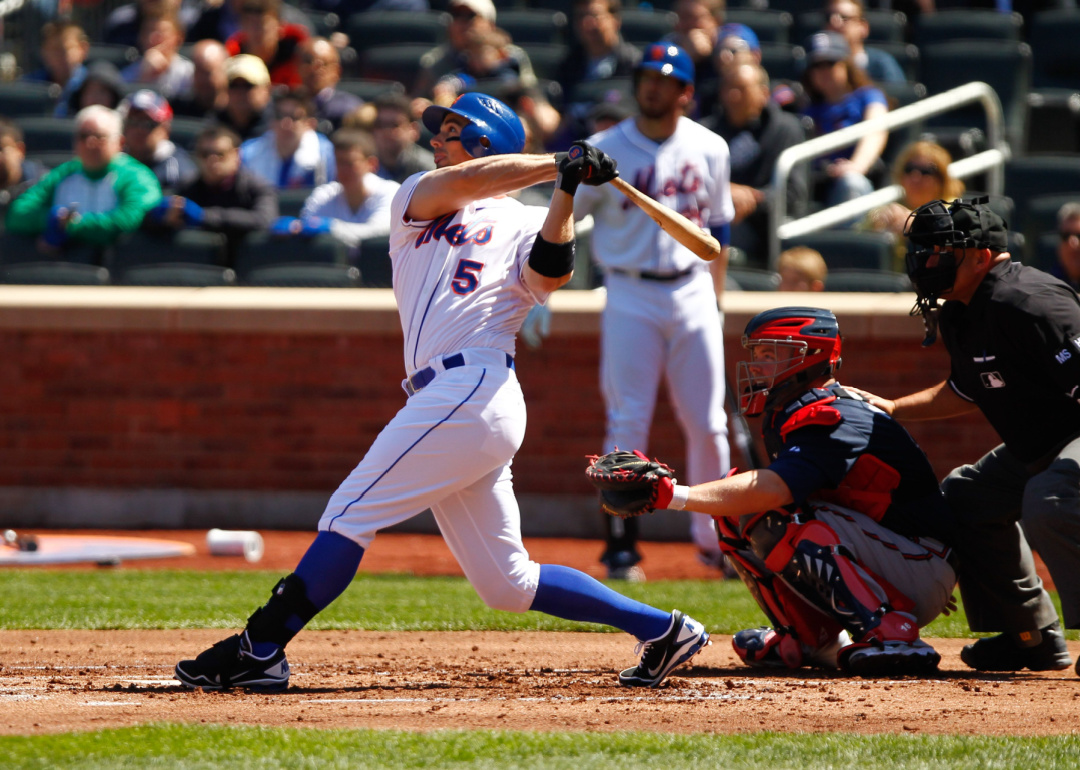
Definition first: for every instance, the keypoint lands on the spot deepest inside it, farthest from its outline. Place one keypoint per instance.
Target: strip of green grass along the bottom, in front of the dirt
(255, 749)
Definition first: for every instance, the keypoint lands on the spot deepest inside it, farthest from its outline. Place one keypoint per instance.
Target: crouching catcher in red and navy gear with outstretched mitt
(841, 538)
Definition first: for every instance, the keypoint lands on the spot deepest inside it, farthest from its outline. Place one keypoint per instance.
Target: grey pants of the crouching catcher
(917, 569)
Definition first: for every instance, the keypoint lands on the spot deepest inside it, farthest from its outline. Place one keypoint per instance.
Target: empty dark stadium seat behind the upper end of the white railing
(1005, 65)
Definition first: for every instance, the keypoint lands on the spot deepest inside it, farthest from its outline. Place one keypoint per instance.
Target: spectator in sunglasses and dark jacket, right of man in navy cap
(225, 198)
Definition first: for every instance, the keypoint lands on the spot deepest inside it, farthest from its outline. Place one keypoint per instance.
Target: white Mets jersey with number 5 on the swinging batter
(458, 279)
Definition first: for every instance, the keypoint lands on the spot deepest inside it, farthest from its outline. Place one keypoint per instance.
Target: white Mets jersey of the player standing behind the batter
(688, 173)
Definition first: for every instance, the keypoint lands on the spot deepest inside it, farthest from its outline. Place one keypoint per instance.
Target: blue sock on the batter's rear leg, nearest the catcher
(572, 596)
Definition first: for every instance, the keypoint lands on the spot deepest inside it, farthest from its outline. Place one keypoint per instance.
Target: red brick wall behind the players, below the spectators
(269, 411)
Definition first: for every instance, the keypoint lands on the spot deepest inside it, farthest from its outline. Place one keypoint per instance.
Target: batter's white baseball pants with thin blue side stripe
(450, 449)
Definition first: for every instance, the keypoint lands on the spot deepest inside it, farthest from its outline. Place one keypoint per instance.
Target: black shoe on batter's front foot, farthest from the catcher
(233, 664)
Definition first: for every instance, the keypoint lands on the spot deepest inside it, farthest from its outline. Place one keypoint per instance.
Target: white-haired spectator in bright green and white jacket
(91, 200)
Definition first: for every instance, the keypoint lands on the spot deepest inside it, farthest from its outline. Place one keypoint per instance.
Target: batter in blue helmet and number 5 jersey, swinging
(468, 265)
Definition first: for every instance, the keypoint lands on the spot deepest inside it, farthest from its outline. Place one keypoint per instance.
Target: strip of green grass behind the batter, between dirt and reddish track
(213, 600)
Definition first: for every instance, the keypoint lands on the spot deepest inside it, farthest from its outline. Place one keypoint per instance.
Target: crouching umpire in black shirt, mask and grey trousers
(1014, 339)
